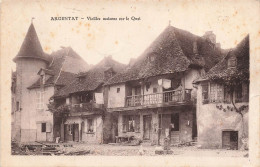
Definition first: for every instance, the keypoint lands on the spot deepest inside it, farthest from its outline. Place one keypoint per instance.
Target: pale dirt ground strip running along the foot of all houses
(117, 150)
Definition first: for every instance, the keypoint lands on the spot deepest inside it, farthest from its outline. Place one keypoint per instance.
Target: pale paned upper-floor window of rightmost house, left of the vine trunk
(216, 92)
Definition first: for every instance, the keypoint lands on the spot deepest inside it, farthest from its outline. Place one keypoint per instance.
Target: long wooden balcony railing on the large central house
(175, 96)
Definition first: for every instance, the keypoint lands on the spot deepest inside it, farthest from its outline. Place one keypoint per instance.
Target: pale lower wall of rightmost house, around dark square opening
(212, 121)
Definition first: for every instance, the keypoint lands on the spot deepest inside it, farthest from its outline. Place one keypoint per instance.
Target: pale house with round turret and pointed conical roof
(38, 75)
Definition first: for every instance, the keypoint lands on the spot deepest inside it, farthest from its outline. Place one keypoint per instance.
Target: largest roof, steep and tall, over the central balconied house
(172, 52)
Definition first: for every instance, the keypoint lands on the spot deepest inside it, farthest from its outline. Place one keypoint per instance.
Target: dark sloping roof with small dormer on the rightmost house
(221, 71)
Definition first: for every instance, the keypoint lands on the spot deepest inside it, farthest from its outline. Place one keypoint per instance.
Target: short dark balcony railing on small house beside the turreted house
(86, 107)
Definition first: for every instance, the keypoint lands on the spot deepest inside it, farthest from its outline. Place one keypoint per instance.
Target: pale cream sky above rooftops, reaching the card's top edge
(123, 40)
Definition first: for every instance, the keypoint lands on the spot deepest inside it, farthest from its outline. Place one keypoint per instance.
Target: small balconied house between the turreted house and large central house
(84, 102)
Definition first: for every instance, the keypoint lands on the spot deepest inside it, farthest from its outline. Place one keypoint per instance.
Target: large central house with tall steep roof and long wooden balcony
(155, 96)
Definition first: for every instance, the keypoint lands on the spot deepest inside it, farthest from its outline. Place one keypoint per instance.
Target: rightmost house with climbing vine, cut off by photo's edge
(222, 101)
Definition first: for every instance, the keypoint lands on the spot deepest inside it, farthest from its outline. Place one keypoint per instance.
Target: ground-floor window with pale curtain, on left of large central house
(131, 123)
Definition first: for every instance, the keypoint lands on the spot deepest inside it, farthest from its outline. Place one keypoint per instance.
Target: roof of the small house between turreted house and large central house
(91, 79)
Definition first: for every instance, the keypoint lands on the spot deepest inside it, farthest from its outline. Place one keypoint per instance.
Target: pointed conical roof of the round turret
(31, 47)
